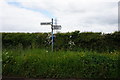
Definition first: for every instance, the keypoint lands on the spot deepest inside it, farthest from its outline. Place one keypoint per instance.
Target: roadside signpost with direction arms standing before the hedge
(53, 27)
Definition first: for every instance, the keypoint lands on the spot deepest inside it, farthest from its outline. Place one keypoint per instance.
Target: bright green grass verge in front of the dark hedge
(40, 63)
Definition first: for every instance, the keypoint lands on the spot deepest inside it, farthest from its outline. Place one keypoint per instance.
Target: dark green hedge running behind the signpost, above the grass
(74, 41)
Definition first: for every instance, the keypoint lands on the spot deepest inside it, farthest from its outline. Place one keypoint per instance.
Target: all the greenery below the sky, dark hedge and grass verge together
(76, 55)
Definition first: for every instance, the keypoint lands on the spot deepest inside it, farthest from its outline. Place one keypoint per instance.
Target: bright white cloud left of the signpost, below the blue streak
(20, 19)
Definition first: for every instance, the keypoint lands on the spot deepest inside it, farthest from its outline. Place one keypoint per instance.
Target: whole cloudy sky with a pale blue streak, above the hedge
(82, 15)
